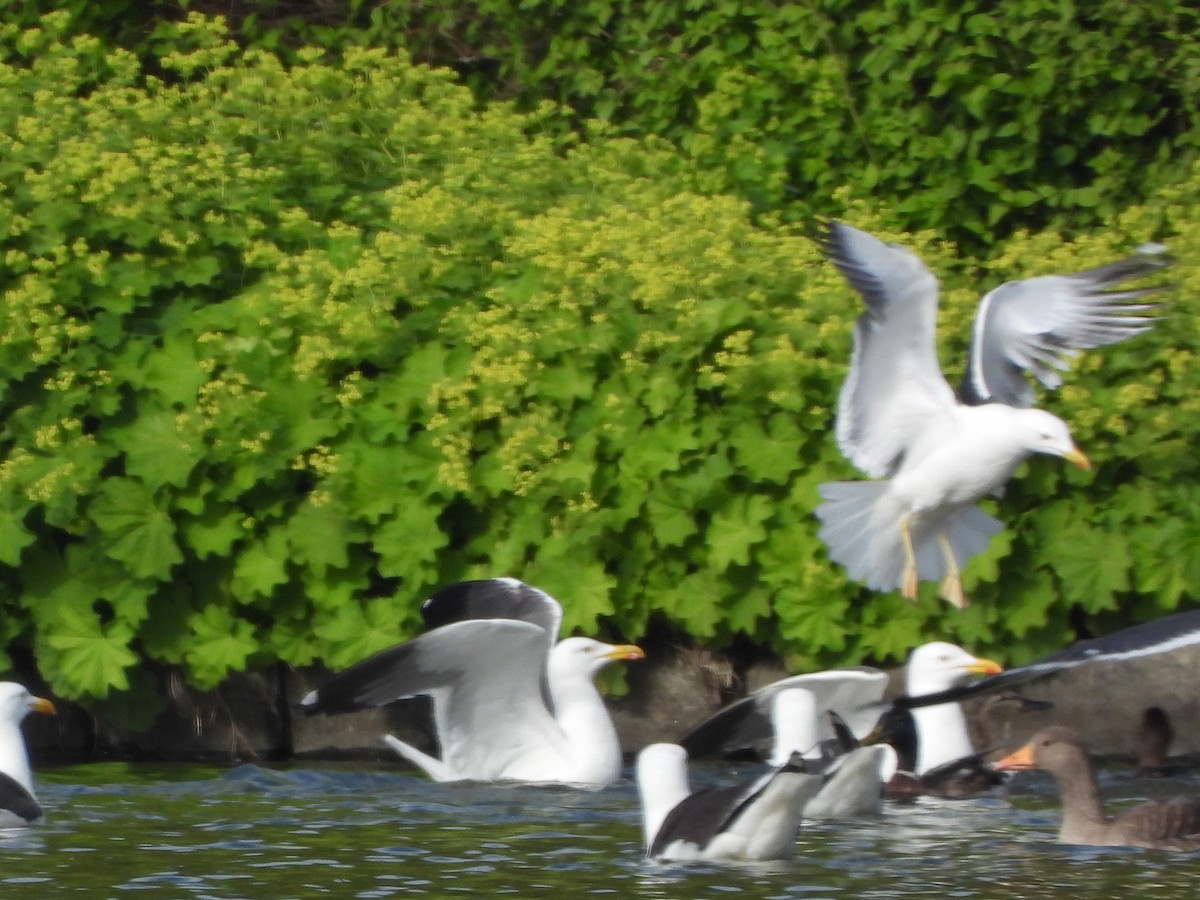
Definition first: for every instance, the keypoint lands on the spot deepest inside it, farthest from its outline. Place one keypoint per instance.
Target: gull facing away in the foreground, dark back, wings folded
(757, 821)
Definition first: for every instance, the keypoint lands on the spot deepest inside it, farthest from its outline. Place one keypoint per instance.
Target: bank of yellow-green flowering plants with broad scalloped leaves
(287, 347)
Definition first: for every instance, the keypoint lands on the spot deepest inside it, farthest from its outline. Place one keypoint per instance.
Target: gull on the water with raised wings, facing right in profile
(511, 703)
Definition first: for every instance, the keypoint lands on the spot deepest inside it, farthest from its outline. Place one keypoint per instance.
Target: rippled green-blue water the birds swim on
(188, 832)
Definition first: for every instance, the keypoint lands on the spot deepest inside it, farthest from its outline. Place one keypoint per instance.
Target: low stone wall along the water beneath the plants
(256, 717)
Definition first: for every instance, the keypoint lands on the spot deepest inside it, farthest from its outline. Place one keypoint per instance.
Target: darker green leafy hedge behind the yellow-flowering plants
(970, 119)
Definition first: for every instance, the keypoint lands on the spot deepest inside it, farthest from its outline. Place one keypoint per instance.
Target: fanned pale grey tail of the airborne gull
(861, 529)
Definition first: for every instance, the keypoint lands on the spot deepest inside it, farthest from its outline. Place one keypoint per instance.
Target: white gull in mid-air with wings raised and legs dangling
(938, 454)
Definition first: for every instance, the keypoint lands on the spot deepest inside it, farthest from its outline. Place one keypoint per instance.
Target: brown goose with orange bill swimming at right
(1157, 825)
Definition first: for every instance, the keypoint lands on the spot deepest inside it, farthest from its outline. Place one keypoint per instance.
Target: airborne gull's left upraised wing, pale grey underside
(895, 387)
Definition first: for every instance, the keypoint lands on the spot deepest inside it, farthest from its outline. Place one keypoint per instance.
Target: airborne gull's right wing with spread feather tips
(1039, 325)
